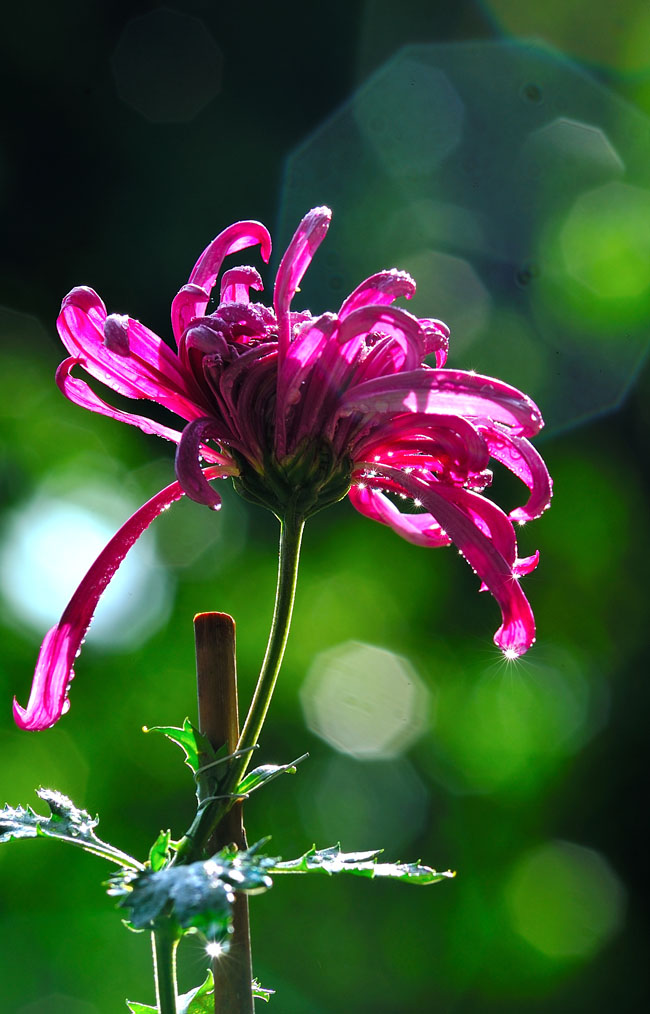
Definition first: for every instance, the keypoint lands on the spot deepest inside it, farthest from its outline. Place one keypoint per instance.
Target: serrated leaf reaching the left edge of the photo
(66, 823)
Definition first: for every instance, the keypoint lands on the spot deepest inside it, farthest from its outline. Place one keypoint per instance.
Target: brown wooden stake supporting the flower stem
(220, 721)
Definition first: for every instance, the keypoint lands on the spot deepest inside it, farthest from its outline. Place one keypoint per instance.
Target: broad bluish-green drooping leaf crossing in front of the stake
(198, 896)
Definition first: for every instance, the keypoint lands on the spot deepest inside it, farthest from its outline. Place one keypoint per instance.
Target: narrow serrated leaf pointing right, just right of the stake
(365, 864)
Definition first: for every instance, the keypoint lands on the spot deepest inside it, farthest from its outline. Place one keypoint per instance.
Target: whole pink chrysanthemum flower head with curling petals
(302, 411)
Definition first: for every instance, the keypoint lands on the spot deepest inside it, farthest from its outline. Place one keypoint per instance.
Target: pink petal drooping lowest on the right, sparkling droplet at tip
(517, 633)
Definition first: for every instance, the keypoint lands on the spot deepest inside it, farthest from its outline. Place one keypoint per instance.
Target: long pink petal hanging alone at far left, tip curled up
(55, 668)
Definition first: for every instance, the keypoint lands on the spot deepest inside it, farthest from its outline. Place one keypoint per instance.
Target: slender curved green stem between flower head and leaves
(209, 816)
